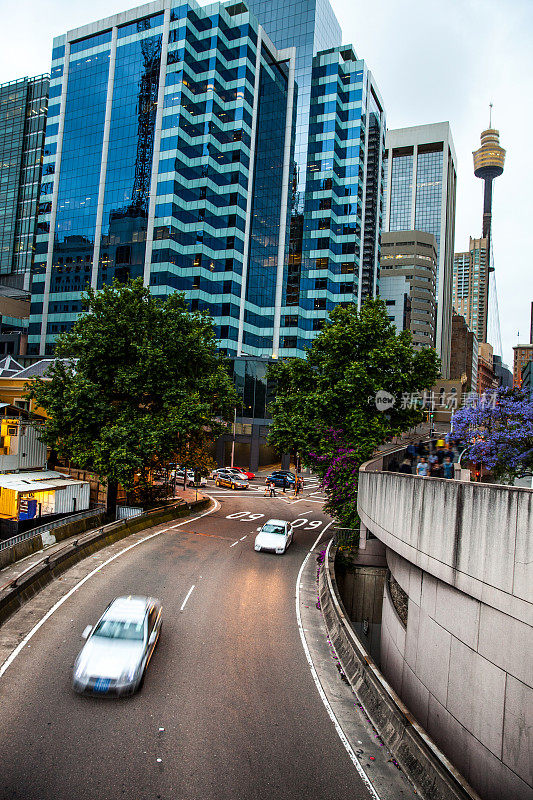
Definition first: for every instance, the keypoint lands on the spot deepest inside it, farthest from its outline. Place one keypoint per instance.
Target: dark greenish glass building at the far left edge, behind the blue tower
(23, 106)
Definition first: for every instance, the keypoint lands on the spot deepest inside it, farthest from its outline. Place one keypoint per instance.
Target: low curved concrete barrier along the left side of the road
(34, 579)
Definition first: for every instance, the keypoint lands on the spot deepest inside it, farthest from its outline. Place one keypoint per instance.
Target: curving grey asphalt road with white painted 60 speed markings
(228, 708)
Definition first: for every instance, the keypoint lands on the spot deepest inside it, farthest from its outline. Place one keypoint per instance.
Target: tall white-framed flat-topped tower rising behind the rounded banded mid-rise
(420, 179)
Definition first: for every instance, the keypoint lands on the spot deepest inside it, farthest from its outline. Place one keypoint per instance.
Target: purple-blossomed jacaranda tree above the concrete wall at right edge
(498, 432)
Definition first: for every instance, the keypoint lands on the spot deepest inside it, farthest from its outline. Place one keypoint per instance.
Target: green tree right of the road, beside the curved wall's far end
(325, 406)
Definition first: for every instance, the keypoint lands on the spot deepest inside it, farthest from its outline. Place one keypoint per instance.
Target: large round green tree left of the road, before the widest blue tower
(145, 380)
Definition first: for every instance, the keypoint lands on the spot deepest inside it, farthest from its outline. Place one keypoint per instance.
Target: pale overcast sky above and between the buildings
(433, 60)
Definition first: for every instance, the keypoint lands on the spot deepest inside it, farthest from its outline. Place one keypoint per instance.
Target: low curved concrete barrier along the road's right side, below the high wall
(433, 776)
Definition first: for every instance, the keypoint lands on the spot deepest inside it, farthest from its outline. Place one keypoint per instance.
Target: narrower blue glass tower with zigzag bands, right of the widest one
(344, 191)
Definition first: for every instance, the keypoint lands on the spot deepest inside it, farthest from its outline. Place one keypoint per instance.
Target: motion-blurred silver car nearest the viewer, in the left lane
(119, 647)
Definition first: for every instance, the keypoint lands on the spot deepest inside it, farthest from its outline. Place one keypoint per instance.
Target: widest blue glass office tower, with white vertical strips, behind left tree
(168, 156)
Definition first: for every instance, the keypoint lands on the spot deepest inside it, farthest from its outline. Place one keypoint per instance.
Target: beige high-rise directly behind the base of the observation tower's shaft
(471, 286)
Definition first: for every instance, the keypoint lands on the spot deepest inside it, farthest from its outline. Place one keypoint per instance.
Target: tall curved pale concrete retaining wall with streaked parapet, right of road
(463, 553)
